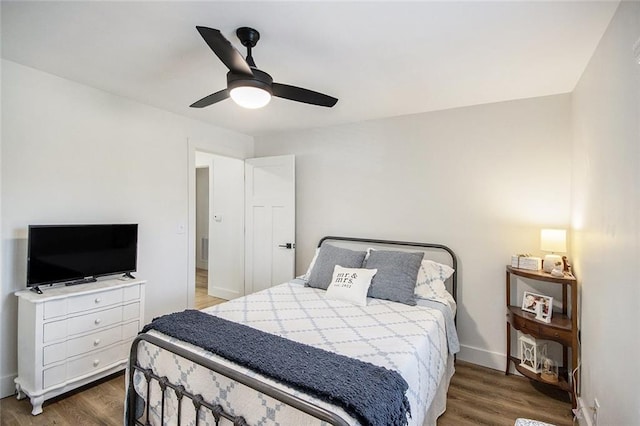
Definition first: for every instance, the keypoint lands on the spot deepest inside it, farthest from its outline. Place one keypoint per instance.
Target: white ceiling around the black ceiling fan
(381, 59)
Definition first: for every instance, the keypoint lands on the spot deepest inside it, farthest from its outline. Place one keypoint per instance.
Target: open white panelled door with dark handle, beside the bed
(270, 221)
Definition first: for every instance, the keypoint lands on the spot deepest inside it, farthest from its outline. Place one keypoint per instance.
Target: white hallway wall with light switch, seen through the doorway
(226, 236)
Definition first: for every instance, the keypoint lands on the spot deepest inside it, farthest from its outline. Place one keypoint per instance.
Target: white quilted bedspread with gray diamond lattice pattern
(409, 339)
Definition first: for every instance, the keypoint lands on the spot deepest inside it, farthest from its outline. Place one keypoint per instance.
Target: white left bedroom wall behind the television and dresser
(71, 153)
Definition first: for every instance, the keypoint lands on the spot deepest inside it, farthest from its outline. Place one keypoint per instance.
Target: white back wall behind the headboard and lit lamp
(482, 180)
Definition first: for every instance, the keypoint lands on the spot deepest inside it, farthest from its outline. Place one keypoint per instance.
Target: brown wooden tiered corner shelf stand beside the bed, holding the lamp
(562, 328)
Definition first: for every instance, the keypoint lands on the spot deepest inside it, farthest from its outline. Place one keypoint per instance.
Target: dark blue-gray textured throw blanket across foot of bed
(373, 395)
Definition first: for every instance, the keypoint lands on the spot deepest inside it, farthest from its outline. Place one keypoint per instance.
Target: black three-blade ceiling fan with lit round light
(246, 84)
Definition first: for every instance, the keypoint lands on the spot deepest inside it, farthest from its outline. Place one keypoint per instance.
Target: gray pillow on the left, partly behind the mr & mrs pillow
(328, 258)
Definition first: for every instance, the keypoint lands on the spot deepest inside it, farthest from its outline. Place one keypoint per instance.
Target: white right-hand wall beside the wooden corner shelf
(605, 215)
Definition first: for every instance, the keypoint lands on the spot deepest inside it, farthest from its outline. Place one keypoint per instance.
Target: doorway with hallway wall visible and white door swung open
(229, 253)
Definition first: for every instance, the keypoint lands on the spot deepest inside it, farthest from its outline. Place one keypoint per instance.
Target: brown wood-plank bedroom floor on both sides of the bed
(477, 396)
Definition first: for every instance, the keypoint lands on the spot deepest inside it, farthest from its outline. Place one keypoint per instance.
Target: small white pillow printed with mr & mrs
(350, 284)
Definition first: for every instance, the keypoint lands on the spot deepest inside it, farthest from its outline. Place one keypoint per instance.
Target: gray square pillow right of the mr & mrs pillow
(396, 277)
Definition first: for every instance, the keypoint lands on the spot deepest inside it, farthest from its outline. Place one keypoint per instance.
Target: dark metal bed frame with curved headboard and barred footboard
(197, 401)
